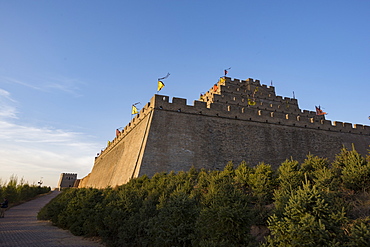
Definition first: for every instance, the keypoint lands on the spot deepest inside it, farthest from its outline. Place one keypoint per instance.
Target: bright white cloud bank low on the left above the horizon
(33, 152)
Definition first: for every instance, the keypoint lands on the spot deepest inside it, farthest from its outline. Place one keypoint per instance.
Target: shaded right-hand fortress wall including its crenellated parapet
(180, 139)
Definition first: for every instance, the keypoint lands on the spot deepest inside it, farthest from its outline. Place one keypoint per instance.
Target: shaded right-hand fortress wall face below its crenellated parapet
(179, 140)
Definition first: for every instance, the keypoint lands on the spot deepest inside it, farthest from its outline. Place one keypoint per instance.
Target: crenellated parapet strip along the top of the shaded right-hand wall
(303, 119)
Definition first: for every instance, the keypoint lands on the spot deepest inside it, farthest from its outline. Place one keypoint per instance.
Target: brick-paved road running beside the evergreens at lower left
(20, 228)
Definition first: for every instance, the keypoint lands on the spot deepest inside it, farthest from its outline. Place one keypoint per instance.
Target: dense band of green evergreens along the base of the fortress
(313, 203)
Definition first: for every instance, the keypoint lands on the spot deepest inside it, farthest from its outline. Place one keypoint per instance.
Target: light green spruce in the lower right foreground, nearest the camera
(308, 219)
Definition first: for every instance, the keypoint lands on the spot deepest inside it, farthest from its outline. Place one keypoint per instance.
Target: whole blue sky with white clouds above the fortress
(70, 70)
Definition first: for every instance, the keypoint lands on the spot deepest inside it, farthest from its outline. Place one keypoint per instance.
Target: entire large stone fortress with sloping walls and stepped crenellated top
(236, 120)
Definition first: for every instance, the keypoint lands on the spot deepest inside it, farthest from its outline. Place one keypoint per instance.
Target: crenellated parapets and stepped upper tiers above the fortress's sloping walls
(228, 98)
